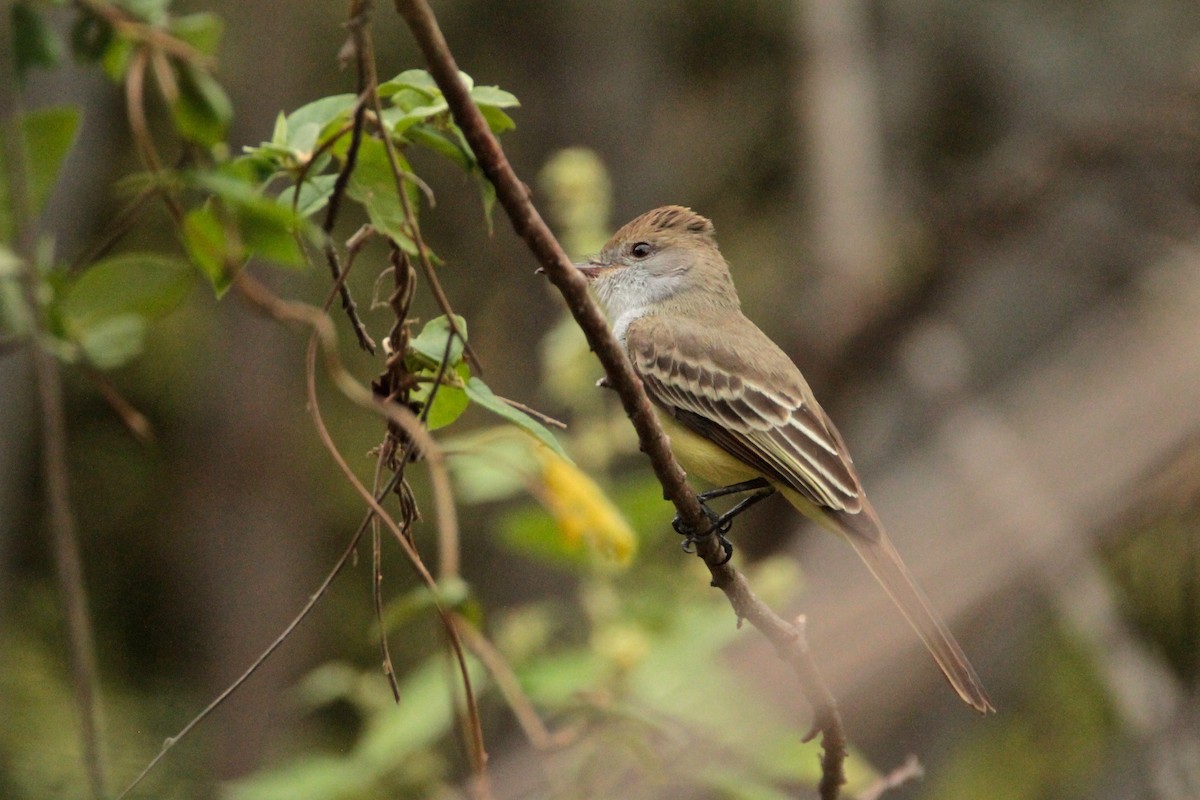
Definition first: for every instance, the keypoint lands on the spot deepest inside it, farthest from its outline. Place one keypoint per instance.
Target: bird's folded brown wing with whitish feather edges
(739, 390)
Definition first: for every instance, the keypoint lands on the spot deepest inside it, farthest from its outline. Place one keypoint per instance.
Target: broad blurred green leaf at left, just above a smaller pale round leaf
(143, 285)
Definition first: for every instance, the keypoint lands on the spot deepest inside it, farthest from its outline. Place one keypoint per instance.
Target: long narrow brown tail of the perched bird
(865, 532)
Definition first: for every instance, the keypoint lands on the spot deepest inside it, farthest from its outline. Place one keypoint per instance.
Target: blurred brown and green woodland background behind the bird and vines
(974, 225)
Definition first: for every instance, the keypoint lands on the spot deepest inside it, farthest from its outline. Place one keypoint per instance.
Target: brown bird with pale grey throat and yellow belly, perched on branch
(737, 410)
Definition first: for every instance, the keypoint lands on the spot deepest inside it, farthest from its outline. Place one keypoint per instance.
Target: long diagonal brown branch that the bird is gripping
(514, 196)
